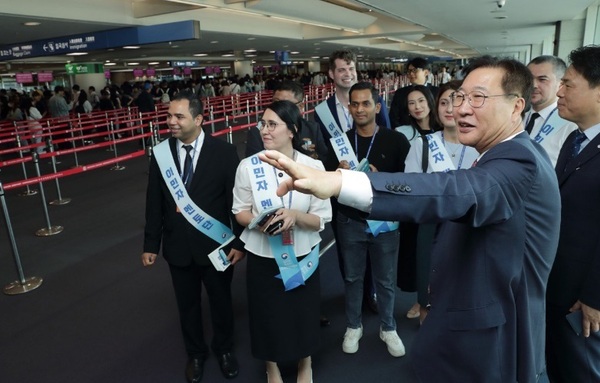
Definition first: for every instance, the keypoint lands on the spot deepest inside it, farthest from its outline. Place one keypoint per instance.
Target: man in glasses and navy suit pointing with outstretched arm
(497, 237)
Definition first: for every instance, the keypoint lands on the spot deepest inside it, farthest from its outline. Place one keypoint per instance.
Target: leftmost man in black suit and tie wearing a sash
(208, 172)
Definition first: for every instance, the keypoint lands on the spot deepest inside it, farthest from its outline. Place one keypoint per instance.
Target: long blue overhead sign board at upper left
(181, 30)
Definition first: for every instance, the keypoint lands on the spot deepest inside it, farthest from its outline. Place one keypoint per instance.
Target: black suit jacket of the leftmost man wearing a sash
(211, 190)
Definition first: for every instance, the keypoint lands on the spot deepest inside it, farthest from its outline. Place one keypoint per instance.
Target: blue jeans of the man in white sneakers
(355, 243)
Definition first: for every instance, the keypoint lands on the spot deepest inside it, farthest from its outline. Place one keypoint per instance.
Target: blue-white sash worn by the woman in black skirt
(292, 272)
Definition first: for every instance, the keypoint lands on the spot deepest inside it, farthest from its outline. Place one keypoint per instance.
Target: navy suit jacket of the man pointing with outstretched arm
(490, 261)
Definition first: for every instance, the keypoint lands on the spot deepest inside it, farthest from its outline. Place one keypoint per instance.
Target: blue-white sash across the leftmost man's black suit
(203, 222)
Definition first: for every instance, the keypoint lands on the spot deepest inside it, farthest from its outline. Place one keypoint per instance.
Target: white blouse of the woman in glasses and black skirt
(304, 239)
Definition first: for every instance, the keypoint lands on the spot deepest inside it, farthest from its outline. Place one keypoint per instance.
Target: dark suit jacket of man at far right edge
(576, 271)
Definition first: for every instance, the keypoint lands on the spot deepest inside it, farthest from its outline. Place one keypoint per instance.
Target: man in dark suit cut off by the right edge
(573, 313)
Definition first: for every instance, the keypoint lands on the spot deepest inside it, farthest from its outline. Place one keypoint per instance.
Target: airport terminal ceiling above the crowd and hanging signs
(381, 31)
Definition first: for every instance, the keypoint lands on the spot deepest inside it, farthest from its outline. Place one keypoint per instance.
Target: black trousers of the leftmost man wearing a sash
(188, 282)
